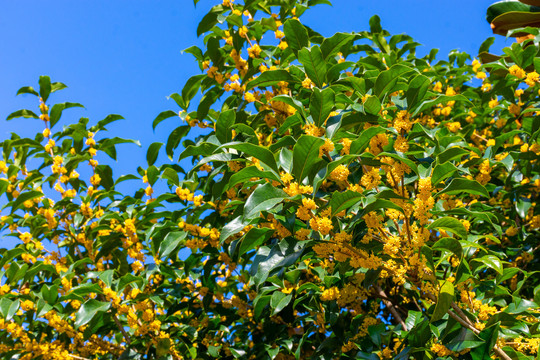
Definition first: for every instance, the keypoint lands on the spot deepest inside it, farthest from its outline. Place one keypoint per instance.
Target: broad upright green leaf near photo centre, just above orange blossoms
(306, 161)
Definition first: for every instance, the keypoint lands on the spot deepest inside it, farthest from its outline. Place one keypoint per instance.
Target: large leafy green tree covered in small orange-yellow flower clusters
(347, 199)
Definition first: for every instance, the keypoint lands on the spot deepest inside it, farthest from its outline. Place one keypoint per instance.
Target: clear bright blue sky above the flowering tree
(124, 57)
